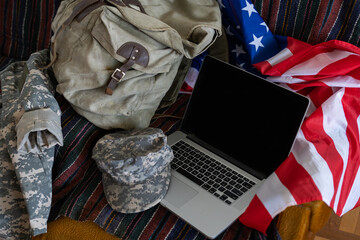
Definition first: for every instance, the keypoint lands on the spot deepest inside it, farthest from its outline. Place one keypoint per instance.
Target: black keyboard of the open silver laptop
(218, 179)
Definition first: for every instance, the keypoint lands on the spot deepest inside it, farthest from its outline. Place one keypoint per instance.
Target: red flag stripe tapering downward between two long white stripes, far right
(314, 132)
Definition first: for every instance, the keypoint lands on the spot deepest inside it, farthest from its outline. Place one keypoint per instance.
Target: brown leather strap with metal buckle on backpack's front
(135, 54)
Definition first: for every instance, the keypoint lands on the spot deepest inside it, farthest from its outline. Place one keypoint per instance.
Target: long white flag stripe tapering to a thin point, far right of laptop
(335, 124)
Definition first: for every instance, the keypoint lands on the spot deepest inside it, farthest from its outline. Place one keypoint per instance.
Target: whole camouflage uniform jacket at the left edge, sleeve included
(30, 128)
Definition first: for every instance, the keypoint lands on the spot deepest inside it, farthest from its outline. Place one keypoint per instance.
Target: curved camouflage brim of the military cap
(139, 196)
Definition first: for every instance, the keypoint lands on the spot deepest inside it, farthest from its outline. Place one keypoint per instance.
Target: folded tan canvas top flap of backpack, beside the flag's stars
(188, 26)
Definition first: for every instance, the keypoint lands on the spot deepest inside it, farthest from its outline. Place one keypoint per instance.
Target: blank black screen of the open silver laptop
(244, 117)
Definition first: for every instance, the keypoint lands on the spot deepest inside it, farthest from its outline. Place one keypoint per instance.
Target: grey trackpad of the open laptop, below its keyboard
(179, 200)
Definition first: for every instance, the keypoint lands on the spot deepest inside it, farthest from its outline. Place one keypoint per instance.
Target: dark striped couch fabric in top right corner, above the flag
(312, 21)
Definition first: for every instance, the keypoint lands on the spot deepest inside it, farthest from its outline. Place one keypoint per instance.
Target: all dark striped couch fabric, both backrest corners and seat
(77, 188)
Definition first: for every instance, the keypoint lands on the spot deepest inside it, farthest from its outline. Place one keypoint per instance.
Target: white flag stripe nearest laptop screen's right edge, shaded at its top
(306, 155)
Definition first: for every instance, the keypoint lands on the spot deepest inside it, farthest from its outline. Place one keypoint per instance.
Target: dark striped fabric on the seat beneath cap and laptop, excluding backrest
(78, 191)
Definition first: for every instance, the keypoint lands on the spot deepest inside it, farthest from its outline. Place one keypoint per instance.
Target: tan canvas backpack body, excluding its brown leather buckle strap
(86, 54)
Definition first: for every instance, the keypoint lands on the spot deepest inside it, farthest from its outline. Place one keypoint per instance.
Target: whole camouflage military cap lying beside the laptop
(135, 168)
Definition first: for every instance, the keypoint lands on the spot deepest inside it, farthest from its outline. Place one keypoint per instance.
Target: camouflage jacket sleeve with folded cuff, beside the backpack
(41, 119)
